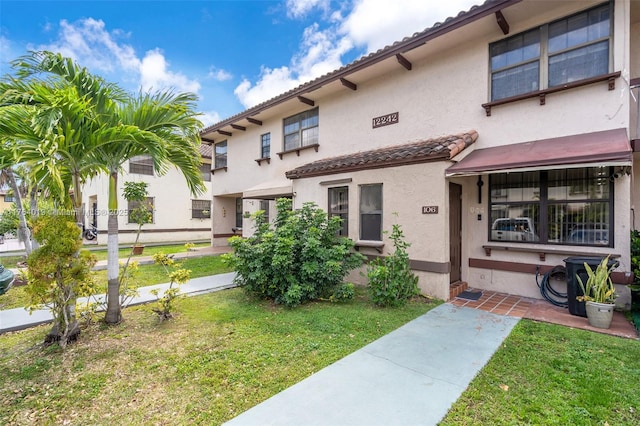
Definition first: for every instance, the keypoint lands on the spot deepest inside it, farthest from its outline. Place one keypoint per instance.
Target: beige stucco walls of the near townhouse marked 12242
(442, 95)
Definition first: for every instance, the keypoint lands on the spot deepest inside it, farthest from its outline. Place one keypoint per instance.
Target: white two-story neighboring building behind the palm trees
(177, 215)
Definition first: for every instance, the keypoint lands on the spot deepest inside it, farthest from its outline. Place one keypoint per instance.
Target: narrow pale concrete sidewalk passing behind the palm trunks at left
(19, 318)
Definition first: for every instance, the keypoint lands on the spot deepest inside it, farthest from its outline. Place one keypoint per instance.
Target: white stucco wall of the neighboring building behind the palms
(172, 209)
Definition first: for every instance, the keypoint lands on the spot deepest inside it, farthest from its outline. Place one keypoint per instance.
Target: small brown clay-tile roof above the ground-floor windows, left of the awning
(441, 148)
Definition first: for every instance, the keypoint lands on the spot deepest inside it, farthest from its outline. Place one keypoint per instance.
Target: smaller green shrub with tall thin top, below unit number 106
(391, 282)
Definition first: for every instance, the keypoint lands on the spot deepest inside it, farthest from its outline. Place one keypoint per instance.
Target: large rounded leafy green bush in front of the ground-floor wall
(300, 259)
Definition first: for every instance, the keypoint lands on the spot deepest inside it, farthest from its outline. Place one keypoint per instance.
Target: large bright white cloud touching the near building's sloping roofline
(371, 24)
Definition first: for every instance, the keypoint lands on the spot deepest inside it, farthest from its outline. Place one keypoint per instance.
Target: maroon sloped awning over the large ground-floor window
(604, 148)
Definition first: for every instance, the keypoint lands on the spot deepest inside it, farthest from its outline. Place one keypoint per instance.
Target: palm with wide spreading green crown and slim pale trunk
(80, 126)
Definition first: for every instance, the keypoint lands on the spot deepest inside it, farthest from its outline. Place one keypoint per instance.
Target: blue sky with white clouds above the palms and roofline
(232, 54)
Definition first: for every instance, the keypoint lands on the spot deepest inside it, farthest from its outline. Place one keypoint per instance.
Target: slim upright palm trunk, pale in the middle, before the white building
(114, 310)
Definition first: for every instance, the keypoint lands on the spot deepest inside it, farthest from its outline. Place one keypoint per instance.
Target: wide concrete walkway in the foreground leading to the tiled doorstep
(411, 376)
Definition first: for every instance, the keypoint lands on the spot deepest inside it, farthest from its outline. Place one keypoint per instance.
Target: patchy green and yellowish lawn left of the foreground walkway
(224, 353)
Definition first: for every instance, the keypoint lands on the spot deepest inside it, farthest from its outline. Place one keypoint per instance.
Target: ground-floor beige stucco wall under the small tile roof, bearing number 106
(405, 190)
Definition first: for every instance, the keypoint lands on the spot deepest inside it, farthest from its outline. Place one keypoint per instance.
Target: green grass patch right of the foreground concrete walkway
(554, 375)
